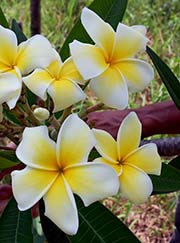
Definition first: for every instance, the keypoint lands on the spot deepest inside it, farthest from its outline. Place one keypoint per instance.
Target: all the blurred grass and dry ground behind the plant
(162, 19)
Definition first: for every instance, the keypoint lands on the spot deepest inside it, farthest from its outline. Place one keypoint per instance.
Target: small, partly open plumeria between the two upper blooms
(59, 80)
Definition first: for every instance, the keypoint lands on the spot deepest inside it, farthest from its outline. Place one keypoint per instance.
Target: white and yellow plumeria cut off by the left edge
(19, 60)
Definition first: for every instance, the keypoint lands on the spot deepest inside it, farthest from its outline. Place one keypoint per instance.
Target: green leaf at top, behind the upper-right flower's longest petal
(112, 11)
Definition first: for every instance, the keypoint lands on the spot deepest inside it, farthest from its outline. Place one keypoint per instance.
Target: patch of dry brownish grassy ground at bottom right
(151, 222)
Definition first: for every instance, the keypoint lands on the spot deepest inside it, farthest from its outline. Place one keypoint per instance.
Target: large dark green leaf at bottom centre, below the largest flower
(98, 224)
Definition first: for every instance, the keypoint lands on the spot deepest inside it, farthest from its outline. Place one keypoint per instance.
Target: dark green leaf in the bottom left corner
(15, 226)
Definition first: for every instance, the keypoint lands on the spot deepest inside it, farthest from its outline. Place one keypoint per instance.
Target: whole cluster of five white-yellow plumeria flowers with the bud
(54, 171)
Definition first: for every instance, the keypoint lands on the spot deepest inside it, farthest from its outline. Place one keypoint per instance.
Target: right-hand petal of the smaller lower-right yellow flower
(146, 158)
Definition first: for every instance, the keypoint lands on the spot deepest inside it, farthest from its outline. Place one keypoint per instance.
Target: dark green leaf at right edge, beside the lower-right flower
(168, 181)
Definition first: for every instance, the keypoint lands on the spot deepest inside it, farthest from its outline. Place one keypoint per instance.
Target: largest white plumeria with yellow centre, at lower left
(57, 170)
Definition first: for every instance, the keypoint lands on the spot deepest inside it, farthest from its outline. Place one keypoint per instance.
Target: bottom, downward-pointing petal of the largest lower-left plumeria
(60, 206)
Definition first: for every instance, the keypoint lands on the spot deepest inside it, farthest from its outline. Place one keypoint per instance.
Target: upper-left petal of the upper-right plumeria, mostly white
(99, 31)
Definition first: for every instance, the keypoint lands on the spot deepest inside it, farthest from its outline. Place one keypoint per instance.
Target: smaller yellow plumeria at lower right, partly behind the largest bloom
(132, 163)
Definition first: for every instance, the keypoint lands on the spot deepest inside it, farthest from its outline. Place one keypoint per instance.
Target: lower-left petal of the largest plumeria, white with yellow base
(29, 185)
